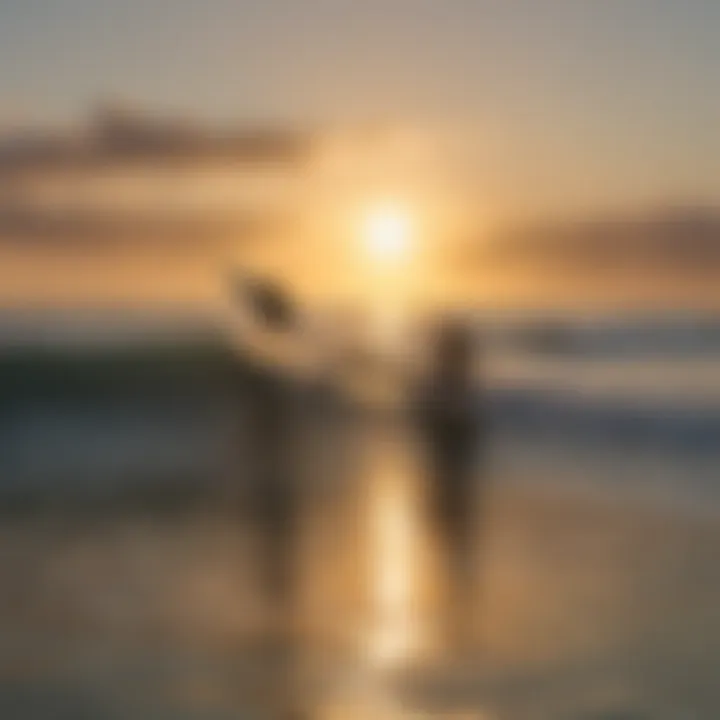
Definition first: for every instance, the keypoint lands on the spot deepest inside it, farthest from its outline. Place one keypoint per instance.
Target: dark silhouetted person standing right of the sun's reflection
(451, 428)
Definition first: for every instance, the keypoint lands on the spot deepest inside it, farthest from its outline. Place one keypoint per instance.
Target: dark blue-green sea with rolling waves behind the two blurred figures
(631, 406)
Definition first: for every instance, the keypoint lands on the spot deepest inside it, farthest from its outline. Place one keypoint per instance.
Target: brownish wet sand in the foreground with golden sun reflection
(589, 608)
